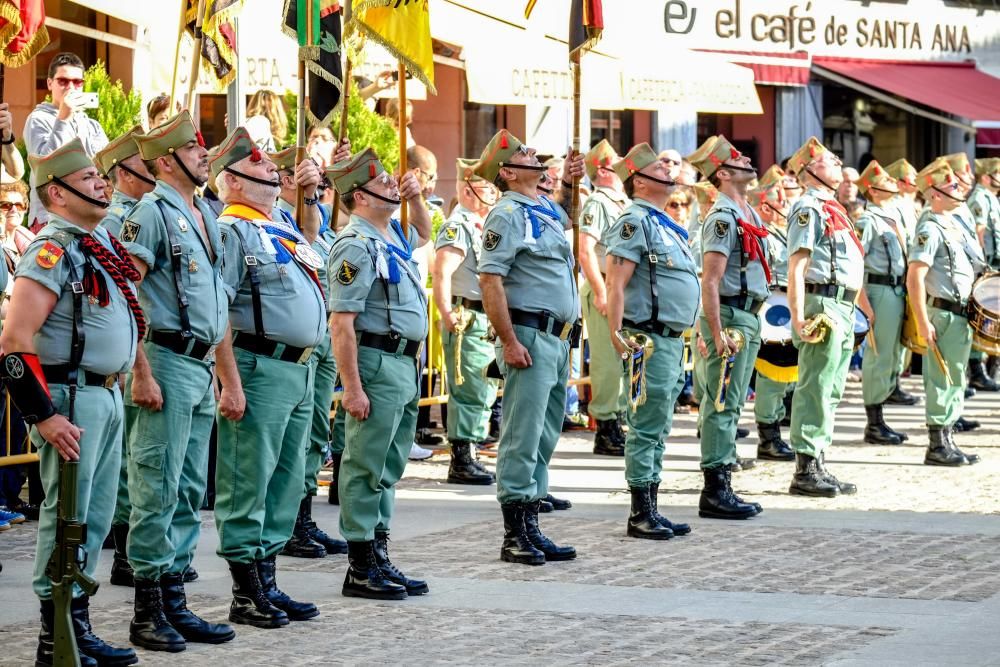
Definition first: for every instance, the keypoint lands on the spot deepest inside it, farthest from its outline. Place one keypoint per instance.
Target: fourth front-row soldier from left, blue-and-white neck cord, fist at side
(379, 323)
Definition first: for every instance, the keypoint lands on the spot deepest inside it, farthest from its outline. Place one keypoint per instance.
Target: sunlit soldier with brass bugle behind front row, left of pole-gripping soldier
(467, 351)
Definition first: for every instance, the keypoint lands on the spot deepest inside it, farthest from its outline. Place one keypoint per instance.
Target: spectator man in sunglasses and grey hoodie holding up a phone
(53, 124)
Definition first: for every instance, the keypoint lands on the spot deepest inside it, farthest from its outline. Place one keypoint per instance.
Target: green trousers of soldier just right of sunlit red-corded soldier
(880, 372)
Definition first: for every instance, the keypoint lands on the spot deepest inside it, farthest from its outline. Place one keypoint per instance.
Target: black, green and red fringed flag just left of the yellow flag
(323, 63)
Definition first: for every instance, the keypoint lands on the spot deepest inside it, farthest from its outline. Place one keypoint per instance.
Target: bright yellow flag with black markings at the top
(403, 28)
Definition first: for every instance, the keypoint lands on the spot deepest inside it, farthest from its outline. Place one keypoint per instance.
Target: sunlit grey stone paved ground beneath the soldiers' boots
(905, 573)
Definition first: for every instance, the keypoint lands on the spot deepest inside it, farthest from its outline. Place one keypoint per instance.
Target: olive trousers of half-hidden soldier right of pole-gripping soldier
(608, 385)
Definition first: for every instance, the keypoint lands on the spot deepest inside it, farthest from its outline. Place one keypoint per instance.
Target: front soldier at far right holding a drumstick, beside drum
(939, 280)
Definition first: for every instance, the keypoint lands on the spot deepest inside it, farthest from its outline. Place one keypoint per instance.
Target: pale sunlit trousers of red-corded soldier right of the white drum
(822, 375)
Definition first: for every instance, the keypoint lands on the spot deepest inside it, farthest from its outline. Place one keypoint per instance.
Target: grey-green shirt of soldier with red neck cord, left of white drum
(719, 234)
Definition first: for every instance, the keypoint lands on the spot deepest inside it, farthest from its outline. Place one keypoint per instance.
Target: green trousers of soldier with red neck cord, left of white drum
(718, 428)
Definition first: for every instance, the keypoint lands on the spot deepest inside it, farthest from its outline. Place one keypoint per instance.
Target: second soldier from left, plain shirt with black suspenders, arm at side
(169, 398)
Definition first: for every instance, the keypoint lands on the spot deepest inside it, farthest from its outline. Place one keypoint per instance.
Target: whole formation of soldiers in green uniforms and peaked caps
(277, 309)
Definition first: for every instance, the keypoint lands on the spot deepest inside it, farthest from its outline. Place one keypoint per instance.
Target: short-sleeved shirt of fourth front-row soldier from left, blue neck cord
(360, 281)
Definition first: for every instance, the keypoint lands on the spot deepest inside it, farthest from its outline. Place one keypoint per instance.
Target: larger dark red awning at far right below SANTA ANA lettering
(959, 89)
